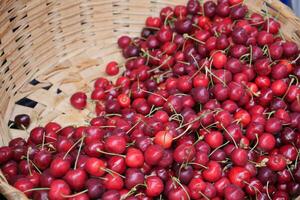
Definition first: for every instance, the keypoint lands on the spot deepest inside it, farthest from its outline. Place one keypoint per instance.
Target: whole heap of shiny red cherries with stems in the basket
(208, 107)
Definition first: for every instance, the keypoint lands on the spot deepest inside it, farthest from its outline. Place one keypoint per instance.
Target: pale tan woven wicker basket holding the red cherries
(52, 48)
